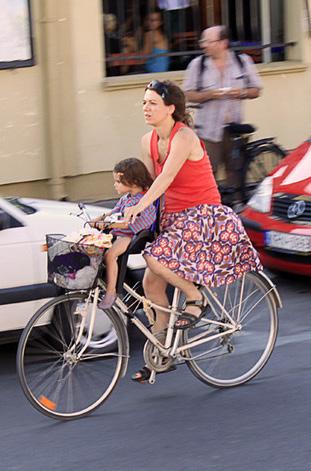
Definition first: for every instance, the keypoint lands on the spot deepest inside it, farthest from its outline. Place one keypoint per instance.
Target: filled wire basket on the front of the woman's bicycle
(72, 265)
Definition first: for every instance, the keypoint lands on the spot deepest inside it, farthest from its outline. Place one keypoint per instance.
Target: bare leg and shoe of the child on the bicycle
(111, 256)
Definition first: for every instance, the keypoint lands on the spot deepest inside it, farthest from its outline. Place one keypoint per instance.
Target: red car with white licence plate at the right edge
(278, 216)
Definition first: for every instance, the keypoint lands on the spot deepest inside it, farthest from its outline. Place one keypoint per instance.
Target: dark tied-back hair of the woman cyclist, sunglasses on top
(172, 94)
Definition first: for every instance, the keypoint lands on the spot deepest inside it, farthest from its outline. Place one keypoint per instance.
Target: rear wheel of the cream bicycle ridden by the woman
(236, 358)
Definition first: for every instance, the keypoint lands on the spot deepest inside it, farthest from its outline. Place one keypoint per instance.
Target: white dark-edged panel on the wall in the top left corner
(16, 48)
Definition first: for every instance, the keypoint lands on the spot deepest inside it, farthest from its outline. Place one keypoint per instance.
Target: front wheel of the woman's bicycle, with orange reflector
(55, 378)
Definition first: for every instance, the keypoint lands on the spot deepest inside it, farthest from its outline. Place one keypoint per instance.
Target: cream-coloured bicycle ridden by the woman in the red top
(64, 378)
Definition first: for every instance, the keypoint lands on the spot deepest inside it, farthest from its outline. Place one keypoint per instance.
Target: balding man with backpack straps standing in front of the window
(217, 82)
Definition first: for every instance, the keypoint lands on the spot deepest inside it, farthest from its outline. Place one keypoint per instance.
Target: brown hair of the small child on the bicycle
(133, 172)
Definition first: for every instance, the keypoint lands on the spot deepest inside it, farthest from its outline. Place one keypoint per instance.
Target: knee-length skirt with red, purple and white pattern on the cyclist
(206, 244)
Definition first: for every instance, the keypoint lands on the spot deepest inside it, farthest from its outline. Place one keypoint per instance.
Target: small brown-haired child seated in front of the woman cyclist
(131, 180)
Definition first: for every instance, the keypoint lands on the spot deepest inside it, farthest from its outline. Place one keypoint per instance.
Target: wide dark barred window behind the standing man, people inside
(147, 36)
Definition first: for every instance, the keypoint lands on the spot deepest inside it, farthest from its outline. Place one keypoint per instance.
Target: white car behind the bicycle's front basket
(24, 222)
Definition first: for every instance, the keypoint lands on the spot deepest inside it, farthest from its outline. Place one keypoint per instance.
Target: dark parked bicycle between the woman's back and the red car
(252, 161)
